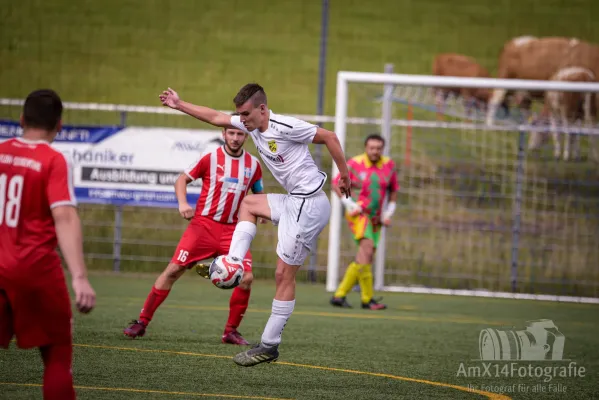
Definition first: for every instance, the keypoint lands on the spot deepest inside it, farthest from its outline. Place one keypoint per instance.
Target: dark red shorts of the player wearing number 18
(36, 309)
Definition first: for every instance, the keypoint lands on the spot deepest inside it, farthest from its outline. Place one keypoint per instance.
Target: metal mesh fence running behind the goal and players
(477, 209)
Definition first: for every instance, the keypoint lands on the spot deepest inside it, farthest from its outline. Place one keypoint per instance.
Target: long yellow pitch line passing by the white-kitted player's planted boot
(489, 395)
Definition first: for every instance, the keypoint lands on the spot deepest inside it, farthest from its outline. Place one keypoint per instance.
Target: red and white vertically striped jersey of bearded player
(226, 180)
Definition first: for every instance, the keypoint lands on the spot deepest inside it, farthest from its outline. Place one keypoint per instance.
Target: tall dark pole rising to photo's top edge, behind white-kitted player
(319, 111)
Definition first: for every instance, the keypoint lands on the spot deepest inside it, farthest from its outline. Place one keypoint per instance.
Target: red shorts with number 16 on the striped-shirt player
(205, 238)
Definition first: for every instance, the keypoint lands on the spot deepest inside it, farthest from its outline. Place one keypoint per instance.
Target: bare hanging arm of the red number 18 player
(68, 232)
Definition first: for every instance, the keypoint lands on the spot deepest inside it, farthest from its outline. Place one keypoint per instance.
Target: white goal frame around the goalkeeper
(345, 78)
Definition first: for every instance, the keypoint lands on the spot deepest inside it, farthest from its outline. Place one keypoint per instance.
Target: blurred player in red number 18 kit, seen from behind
(37, 212)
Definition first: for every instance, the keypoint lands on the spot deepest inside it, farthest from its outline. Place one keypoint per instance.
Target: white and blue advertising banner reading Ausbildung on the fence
(128, 165)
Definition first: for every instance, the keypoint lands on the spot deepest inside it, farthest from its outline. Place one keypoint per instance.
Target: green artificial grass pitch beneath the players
(412, 350)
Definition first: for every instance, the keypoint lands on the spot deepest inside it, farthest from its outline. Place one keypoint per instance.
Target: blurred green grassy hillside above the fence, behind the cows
(127, 51)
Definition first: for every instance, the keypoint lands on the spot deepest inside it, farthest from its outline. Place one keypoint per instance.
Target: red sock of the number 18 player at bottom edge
(58, 375)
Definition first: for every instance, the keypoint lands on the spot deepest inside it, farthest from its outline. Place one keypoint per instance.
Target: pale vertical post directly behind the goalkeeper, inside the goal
(386, 115)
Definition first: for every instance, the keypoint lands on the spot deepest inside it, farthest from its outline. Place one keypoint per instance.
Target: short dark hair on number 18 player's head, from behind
(42, 109)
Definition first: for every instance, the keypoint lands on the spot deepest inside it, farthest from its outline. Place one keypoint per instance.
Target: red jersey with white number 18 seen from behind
(34, 178)
